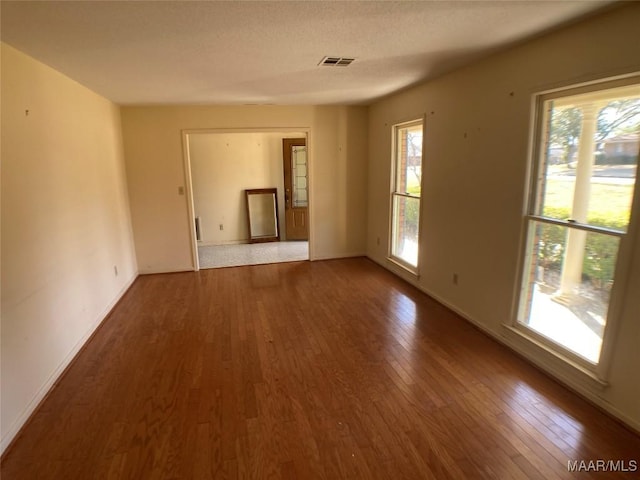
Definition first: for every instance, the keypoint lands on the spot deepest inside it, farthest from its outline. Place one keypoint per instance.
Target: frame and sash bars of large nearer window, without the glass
(597, 371)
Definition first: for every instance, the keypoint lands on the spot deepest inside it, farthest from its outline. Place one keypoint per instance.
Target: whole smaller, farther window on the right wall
(405, 196)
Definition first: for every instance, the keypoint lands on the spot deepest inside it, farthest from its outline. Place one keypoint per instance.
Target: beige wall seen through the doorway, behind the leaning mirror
(223, 165)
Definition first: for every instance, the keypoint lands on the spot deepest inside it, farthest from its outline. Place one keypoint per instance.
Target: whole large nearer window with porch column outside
(578, 216)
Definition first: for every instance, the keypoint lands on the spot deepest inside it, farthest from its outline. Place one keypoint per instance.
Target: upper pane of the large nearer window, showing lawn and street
(590, 156)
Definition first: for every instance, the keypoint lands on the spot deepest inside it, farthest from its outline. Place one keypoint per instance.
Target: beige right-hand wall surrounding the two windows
(475, 166)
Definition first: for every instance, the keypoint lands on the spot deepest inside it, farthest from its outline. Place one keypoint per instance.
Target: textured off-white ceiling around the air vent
(267, 52)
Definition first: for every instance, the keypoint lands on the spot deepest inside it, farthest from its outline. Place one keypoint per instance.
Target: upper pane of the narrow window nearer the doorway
(409, 159)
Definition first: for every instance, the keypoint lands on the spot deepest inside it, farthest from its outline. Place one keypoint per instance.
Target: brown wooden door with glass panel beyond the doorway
(296, 191)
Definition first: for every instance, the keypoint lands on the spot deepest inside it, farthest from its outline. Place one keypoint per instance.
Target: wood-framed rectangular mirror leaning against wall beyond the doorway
(262, 215)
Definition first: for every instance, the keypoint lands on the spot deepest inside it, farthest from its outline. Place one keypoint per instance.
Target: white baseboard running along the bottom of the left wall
(42, 392)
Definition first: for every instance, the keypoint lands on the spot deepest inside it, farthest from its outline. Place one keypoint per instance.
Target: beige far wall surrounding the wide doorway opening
(155, 170)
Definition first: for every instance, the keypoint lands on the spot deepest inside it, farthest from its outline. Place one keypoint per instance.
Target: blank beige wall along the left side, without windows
(65, 225)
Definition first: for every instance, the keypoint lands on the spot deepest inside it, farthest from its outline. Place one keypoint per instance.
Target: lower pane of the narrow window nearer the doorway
(406, 219)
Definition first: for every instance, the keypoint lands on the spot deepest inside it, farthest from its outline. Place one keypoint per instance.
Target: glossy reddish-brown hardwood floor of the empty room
(331, 370)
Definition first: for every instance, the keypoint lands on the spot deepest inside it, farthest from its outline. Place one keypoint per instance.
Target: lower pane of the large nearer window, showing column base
(565, 304)
